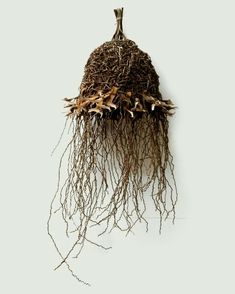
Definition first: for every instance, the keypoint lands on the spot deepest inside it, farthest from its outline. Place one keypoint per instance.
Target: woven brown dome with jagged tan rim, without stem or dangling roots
(119, 79)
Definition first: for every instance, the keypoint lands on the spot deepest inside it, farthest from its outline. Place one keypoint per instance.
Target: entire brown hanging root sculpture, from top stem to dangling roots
(119, 149)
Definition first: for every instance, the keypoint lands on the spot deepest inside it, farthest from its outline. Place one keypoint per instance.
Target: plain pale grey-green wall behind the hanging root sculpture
(44, 47)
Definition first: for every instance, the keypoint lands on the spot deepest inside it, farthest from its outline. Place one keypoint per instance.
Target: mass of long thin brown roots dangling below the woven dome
(111, 164)
